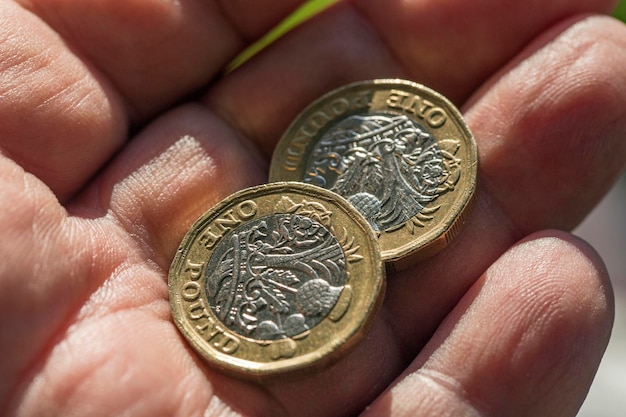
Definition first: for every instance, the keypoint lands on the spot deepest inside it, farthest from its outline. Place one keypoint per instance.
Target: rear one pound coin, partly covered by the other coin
(396, 150)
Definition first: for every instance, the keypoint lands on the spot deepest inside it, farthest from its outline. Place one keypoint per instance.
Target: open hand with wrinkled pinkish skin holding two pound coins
(116, 133)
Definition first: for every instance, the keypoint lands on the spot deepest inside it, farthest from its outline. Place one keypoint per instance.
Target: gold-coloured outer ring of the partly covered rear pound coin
(438, 223)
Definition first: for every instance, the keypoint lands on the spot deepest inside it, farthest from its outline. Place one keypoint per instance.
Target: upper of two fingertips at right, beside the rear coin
(561, 118)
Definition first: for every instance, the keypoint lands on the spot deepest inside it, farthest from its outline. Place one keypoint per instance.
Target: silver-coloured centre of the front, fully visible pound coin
(277, 276)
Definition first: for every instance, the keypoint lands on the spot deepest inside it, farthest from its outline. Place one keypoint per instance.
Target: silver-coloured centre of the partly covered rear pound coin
(387, 165)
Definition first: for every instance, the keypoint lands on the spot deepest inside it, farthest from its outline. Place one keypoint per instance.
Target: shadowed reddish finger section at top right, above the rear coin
(444, 47)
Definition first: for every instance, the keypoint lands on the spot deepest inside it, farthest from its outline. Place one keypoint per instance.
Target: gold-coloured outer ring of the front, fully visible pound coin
(343, 326)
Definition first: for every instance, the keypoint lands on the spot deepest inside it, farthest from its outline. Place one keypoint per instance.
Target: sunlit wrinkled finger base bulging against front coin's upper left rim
(174, 170)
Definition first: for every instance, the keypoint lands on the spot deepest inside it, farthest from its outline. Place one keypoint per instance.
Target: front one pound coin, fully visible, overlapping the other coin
(277, 279)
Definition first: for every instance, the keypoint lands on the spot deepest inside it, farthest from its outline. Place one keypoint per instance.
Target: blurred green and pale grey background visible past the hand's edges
(604, 228)
